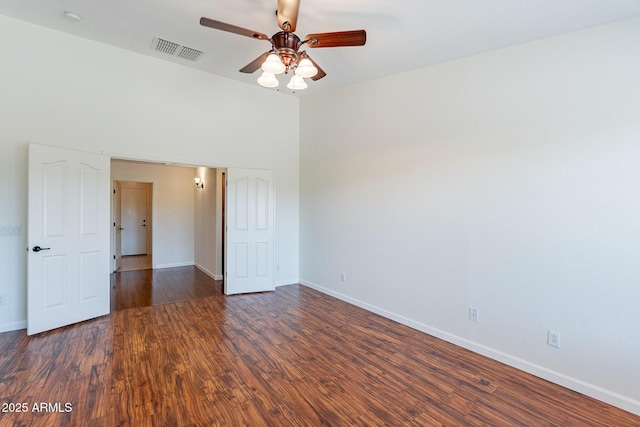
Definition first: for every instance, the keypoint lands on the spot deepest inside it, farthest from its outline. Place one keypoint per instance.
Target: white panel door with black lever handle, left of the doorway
(68, 261)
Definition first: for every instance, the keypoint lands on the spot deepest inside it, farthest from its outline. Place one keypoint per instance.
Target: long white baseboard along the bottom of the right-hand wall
(559, 378)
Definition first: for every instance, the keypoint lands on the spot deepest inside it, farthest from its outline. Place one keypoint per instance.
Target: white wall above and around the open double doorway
(65, 91)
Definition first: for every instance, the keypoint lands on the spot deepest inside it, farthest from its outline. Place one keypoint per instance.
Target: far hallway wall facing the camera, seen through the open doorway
(173, 225)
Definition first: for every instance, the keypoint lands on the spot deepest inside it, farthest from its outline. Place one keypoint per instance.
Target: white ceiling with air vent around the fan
(401, 35)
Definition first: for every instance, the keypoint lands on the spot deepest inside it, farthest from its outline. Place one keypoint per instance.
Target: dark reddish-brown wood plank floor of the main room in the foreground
(289, 357)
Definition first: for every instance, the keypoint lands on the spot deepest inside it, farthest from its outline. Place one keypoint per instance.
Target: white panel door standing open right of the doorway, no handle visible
(249, 238)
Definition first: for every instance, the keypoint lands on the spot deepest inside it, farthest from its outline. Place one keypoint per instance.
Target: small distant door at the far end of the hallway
(134, 221)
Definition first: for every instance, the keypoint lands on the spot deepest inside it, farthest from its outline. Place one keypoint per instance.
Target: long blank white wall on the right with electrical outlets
(508, 181)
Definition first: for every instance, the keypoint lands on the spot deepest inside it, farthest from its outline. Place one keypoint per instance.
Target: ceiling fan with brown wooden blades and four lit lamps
(285, 54)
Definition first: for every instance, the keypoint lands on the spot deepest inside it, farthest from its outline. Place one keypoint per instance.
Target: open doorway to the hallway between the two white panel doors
(185, 243)
